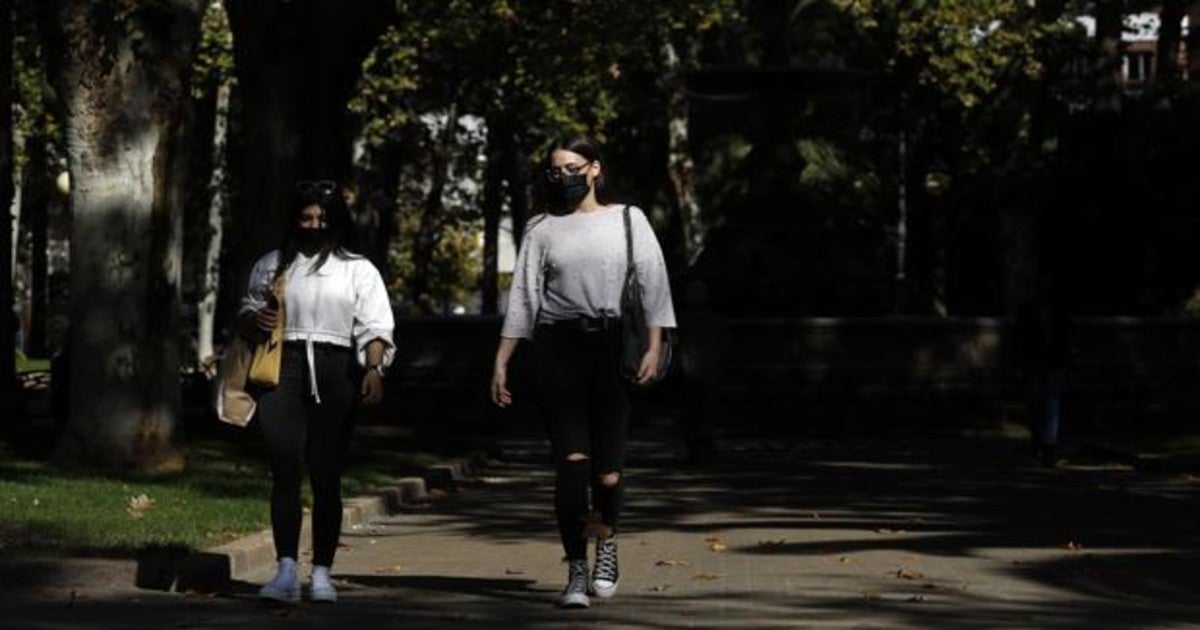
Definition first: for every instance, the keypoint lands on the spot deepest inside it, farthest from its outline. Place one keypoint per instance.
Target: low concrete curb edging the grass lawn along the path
(213, 569)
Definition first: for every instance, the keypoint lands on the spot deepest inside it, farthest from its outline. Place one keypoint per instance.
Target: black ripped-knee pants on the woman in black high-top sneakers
(586, 409)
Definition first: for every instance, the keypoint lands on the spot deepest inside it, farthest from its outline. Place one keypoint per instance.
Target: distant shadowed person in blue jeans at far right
(1046, 349)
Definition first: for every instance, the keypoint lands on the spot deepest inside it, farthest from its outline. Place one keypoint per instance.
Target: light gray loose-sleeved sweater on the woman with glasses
(574, 266)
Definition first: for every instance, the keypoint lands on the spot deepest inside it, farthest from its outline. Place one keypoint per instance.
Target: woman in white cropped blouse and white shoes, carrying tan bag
(338, 341)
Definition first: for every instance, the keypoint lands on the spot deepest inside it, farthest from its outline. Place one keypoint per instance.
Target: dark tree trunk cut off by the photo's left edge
(8, 191)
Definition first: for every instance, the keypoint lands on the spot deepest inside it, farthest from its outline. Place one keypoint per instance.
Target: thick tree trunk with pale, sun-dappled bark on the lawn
(122, 76)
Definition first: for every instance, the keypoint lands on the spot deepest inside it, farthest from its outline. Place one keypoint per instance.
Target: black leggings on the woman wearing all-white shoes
(299, 431)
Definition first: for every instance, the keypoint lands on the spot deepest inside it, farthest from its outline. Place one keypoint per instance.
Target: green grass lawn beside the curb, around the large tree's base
(223, 495)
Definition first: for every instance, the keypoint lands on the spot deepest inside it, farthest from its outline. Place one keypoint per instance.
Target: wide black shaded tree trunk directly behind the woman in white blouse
(297, 65)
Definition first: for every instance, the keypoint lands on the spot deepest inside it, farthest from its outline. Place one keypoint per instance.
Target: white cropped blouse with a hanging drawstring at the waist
(345, 303)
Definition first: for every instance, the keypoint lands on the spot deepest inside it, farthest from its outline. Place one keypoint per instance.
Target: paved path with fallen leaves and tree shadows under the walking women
(855, 535)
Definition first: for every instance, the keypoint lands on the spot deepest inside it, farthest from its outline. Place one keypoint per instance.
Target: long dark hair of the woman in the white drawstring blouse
(328, 196)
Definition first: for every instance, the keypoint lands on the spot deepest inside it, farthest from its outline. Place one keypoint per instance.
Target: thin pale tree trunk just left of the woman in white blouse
(211, 278)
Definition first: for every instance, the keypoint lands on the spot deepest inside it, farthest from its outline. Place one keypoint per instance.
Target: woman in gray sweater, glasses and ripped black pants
(566, 298)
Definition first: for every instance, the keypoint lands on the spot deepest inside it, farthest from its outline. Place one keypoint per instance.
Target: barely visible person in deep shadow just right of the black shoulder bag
(704, 350)
